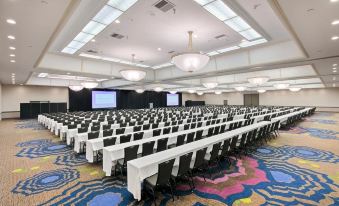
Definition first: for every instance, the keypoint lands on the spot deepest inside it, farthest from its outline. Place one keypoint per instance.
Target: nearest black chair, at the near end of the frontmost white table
(161, 179)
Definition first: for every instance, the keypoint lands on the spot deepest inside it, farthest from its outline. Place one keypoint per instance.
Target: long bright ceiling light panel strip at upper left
(108, 14)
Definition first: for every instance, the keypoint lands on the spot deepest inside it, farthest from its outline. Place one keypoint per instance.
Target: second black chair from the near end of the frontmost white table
(183, 170)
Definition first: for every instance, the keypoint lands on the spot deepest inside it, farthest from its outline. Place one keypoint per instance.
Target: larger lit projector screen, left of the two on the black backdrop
(104, 99)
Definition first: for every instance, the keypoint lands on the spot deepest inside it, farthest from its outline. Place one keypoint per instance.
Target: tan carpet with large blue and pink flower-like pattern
(301, 167)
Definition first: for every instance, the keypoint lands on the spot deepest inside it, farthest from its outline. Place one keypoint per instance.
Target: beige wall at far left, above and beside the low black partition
(13, 95)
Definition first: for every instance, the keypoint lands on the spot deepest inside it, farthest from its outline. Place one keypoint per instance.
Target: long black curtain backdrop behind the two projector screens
(126, 99)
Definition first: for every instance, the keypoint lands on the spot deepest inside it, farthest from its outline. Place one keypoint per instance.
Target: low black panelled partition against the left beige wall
(34, 108)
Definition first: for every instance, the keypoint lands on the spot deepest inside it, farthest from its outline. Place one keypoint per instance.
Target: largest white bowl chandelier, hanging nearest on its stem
(190, 61)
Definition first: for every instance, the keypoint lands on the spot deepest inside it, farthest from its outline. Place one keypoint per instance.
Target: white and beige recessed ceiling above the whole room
(298, 34)
